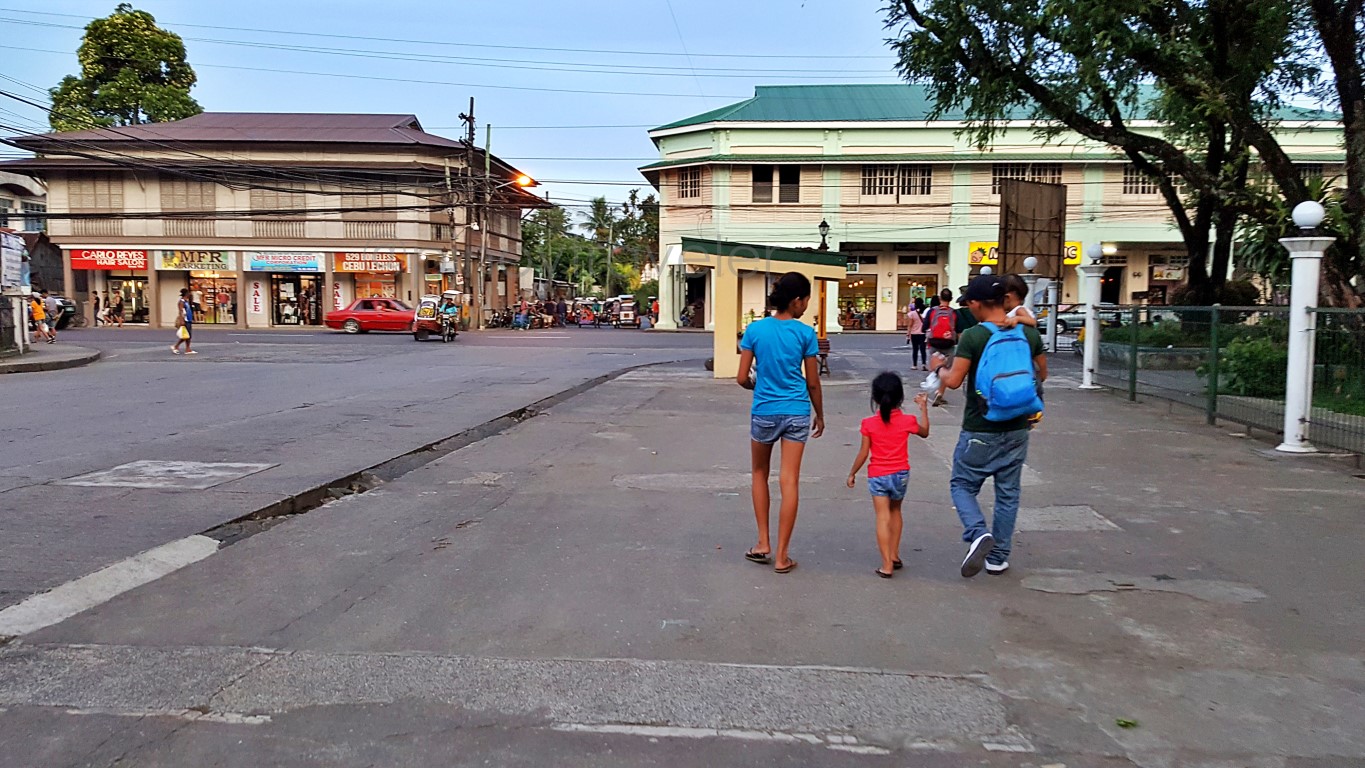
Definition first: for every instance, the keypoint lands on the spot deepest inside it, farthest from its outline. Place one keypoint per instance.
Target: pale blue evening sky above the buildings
(570, 89)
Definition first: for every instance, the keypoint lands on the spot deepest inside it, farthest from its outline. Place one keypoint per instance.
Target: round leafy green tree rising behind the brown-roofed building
(132, 72)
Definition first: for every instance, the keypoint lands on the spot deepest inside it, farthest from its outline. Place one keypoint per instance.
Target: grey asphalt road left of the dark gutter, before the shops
(313, 406)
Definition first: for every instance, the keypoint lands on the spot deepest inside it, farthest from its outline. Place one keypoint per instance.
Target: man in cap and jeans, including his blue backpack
(1003, 370)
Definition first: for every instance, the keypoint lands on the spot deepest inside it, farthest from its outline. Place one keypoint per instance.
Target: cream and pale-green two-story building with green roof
(910, 200)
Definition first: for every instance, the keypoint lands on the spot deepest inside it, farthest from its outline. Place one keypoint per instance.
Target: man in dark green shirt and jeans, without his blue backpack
(985, 448)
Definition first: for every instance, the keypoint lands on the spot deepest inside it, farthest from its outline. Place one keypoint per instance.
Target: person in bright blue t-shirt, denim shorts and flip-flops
(775, 353)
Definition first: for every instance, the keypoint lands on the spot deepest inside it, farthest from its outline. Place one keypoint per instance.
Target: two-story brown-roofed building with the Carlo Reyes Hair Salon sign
(275, 219)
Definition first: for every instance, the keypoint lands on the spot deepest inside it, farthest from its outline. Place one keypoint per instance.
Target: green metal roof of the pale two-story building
(869, 103)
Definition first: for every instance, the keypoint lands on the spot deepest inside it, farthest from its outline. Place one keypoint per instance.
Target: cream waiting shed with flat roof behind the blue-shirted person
(741, 279)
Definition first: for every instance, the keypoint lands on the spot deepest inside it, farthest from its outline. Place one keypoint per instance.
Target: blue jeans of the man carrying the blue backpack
(981, 456)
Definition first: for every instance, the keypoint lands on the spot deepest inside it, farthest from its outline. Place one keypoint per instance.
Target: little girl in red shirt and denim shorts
(885, 441)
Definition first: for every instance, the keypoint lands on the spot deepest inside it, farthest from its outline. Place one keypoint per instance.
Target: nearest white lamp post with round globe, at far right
(1306, 254)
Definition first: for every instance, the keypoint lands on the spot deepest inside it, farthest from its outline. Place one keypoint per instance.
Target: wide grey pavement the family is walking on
(575, 593)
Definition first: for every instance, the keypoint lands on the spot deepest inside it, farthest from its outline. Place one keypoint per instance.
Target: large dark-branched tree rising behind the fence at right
(1214, 72)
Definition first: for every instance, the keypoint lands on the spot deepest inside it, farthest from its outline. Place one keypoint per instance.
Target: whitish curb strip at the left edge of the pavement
(103, 586)
